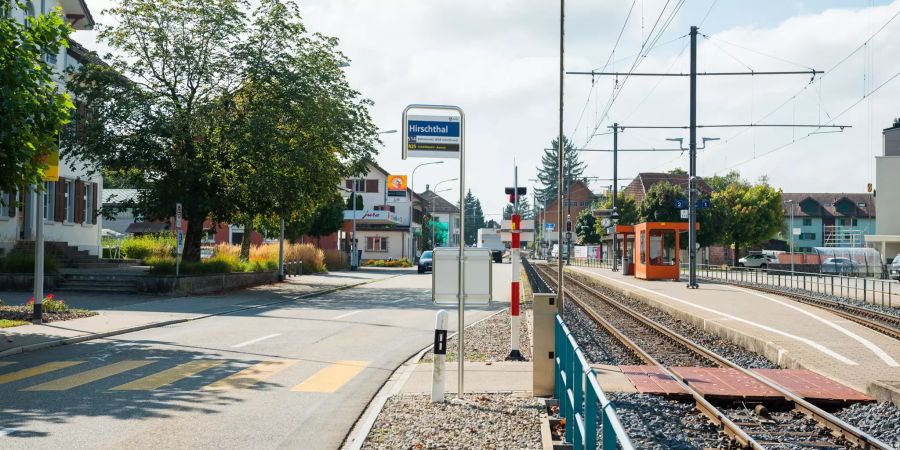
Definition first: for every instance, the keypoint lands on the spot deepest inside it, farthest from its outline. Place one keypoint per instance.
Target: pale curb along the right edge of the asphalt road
(356, 437)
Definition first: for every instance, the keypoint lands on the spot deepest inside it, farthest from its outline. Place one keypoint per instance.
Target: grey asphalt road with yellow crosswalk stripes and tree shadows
(290, 375)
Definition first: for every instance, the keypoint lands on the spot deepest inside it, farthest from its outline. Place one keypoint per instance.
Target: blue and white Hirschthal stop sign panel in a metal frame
(432, 136)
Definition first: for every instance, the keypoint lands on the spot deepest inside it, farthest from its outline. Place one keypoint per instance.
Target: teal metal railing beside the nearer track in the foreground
(581, 399)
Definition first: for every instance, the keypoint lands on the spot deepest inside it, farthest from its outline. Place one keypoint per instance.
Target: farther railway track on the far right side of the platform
(887, 324)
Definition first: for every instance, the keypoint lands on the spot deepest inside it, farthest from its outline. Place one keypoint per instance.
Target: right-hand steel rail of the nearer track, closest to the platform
(837, 426)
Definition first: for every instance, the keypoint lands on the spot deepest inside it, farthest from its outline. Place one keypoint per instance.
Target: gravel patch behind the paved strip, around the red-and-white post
(488, 340)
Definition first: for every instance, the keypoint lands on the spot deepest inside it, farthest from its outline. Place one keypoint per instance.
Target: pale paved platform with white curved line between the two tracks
(790, 333)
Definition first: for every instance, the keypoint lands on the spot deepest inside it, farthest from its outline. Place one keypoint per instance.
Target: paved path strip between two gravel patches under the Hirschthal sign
(503, 376)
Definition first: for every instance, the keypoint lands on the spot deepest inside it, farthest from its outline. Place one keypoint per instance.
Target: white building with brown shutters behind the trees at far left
(70, 204)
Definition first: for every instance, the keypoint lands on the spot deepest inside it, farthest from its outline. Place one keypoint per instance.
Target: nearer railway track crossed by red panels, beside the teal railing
(754, 428)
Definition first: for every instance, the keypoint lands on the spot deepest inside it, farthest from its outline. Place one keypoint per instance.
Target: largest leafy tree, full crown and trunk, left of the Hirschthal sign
(242, 119)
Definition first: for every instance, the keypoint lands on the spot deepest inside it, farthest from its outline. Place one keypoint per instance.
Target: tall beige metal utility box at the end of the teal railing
(544, 345)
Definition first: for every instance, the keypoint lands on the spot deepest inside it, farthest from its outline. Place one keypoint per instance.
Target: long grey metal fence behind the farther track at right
(869, 290)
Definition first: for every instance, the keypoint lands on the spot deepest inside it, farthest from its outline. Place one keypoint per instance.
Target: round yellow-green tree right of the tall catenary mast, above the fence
(751, 214)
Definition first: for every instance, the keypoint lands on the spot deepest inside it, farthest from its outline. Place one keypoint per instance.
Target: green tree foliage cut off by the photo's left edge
(32, 107)
